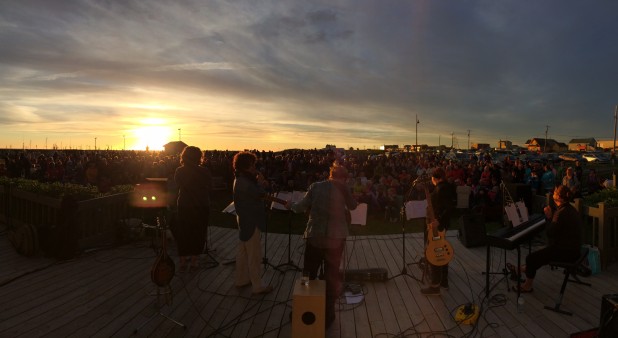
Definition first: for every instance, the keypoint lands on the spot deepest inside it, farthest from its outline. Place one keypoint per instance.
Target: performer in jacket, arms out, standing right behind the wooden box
(327, 230)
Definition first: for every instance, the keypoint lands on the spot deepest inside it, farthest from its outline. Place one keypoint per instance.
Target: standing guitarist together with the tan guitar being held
(440, 204)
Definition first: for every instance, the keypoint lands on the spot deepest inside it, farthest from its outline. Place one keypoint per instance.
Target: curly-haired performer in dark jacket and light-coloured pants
(249, 195)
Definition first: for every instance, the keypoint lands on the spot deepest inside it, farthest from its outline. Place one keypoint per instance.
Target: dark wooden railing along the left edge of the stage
(62, 224)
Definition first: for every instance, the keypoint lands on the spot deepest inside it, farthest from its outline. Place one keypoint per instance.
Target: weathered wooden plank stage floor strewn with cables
(108, 293)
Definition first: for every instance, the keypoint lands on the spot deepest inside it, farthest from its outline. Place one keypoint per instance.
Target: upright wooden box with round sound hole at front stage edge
(308, 307)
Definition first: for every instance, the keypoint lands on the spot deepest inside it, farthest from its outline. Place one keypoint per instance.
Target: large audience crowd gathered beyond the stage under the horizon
(384, 183)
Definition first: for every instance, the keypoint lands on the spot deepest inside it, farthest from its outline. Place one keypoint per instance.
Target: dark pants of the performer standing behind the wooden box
(331, 258)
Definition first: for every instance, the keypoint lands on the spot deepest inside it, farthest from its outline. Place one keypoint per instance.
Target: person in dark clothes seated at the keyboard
(563, 237)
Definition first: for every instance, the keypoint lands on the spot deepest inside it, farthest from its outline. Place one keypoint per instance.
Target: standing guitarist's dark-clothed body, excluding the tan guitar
(443, 201)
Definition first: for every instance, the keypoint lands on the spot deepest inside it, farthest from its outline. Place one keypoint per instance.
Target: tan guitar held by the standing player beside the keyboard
(438, 251)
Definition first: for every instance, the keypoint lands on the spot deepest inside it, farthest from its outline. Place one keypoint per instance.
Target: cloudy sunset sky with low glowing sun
(274, 75)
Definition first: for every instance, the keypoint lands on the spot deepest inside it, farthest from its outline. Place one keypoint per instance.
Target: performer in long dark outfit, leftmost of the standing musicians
(194, 183)
